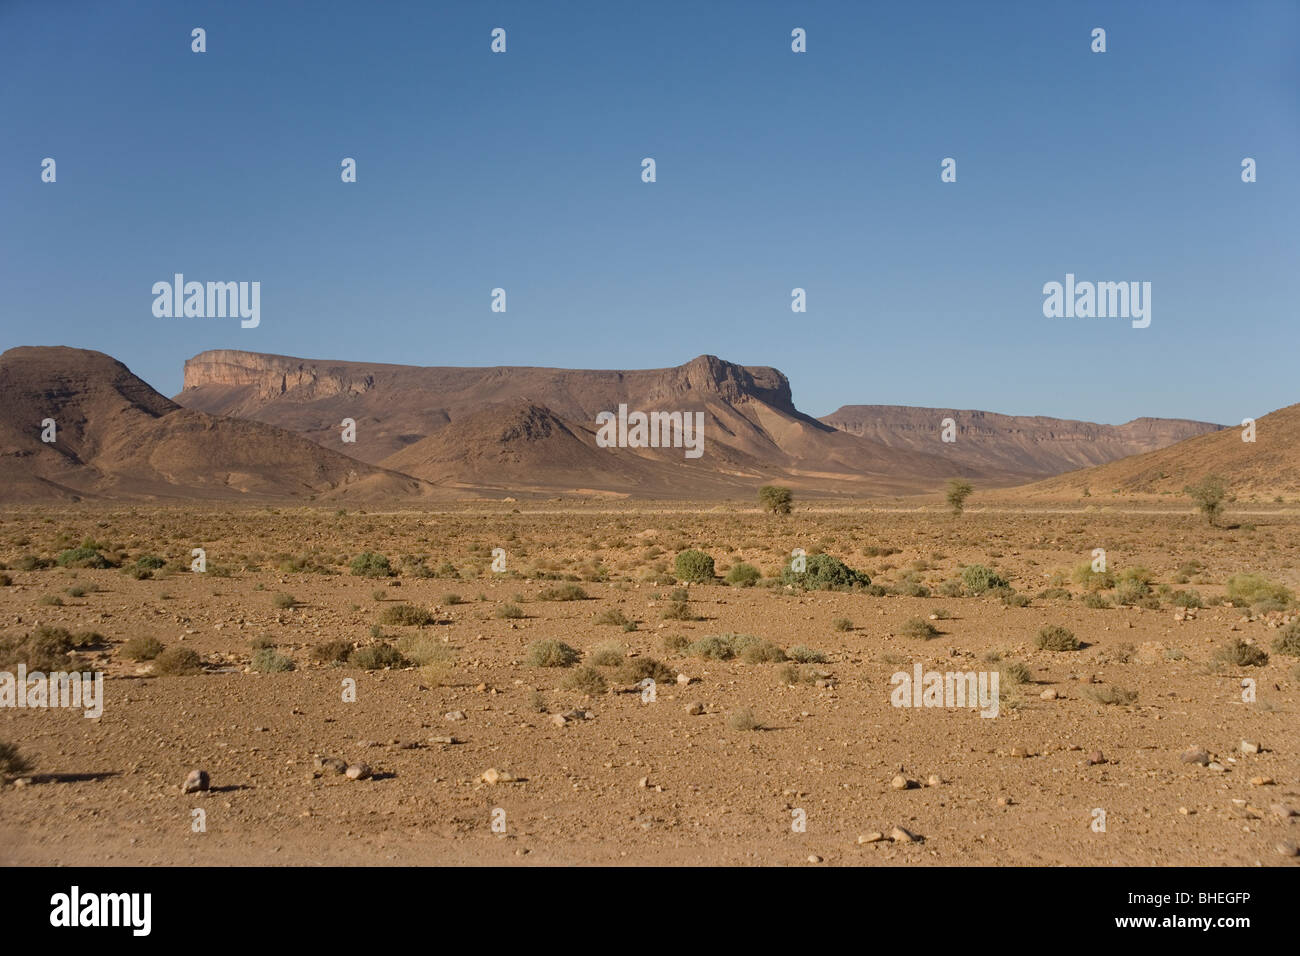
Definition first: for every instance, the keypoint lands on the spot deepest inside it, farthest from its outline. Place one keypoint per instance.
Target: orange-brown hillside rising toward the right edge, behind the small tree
(1267, 468)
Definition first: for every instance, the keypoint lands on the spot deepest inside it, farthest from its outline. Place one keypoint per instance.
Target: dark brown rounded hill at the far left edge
(118, 439)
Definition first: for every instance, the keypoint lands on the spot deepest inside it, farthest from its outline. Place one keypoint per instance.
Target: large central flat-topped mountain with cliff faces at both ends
(753, 431)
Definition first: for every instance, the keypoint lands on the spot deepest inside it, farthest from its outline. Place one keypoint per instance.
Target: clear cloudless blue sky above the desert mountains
(775, 171)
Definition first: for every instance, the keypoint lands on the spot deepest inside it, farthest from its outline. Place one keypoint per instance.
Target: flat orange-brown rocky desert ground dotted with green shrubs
(467, 685)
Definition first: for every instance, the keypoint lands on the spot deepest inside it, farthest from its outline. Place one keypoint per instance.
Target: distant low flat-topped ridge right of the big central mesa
(1016, 444)
